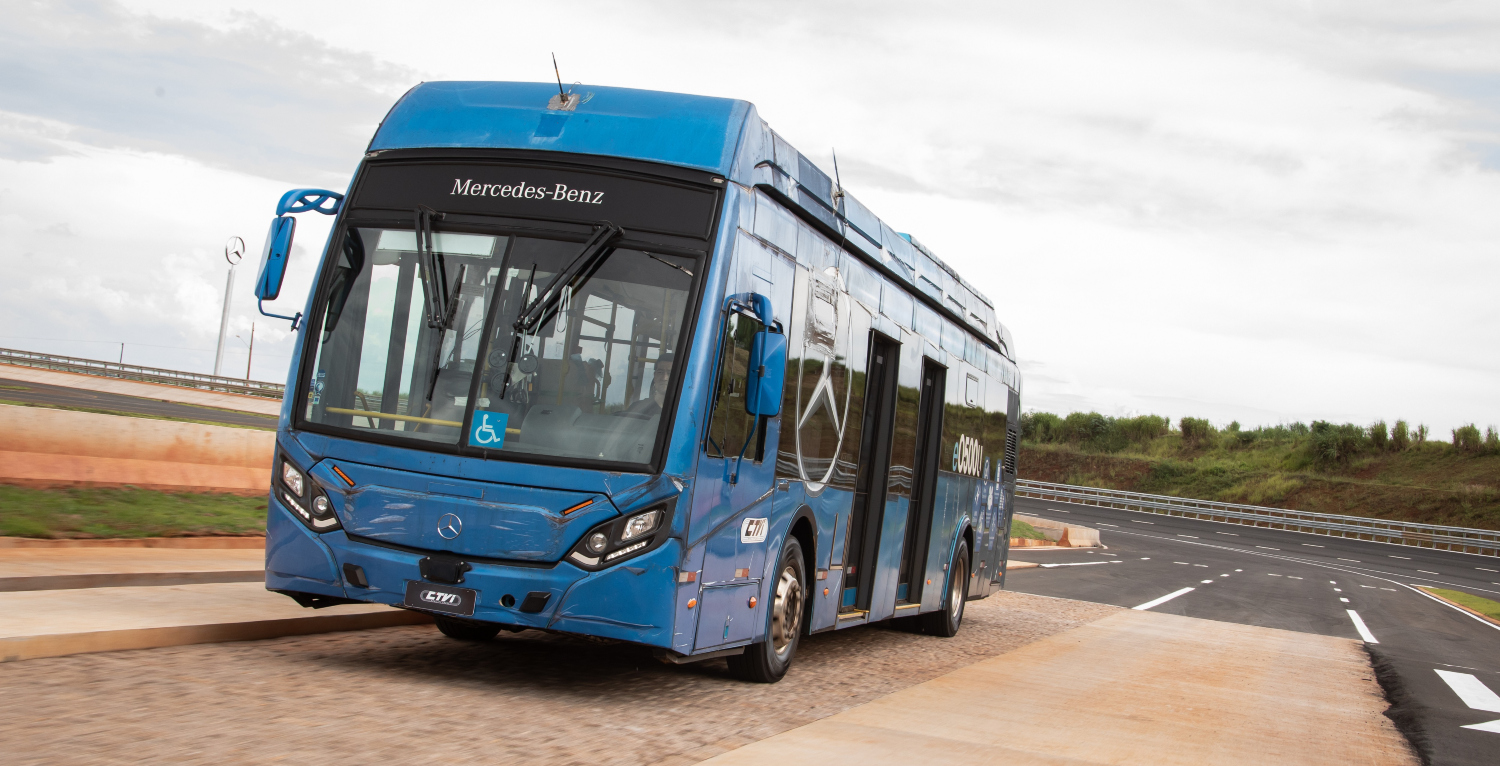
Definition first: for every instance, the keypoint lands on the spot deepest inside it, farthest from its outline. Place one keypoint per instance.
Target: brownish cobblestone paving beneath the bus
(415, 696)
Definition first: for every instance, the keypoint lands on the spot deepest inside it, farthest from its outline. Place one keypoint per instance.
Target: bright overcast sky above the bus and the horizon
(1265, 212)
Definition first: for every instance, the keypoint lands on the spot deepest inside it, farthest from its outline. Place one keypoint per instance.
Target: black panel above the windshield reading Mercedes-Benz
(541, 193)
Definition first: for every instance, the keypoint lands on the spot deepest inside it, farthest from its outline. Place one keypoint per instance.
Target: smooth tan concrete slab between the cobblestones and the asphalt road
(1133, 687)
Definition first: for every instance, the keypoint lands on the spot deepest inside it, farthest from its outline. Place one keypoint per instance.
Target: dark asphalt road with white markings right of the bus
(1309, 584)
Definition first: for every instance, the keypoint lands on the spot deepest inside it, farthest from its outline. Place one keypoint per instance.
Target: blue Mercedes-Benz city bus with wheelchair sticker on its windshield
(626, 365)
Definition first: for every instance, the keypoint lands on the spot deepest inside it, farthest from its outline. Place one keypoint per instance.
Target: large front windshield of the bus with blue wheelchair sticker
(590, 384)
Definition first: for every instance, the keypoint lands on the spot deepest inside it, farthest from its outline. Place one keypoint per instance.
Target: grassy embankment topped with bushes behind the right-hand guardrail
(1390, 473)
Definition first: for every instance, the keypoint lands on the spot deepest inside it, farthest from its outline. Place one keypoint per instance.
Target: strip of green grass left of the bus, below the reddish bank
(103, 513)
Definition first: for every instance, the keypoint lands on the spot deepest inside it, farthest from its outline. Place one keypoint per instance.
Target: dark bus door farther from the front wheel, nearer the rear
(925, 483)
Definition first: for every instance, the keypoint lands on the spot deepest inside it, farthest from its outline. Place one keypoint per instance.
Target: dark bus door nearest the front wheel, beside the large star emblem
(868, 513)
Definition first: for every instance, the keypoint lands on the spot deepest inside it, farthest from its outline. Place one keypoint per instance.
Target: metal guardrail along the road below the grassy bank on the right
(1457, 539)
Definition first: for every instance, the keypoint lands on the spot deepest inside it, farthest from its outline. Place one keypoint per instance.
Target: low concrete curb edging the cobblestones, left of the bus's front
(71, 644)
